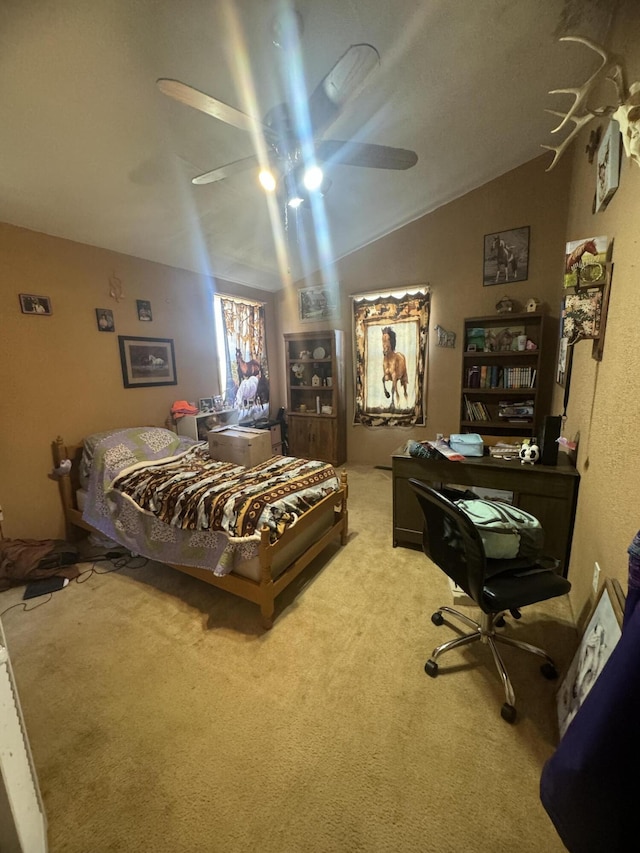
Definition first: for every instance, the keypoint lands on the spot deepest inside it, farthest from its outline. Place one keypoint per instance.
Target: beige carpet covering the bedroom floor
(162, 718)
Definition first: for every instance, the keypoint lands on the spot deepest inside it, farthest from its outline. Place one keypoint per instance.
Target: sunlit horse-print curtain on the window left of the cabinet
(247, 388)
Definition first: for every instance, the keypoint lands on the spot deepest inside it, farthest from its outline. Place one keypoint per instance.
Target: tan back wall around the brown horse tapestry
(445, 249)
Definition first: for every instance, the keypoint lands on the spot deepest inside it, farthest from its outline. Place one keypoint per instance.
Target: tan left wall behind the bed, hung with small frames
(60, 375)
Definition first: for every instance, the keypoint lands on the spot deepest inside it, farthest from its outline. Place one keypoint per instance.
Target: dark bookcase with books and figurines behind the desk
(507, 374)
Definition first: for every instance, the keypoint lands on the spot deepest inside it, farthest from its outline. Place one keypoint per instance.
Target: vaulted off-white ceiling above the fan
(92, 151)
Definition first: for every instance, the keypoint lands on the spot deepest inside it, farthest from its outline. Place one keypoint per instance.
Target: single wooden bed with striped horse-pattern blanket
(250, 531)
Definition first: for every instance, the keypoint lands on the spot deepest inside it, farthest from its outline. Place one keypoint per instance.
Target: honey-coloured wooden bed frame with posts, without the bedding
(261, 592)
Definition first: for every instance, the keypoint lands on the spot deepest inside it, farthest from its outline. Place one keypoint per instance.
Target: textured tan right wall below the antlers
(604, 403)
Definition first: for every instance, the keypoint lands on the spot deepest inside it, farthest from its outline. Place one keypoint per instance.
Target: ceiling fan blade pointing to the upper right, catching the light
(343, 81)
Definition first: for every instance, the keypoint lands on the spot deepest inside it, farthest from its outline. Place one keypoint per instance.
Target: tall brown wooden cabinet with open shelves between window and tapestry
(315, 395)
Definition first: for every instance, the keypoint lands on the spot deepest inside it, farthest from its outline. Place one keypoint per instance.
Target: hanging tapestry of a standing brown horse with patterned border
(390, 338)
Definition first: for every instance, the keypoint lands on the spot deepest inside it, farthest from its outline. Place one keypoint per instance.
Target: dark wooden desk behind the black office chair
(549, 492)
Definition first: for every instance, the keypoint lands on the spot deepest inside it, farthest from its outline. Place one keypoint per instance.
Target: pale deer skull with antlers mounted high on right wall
(626, 109)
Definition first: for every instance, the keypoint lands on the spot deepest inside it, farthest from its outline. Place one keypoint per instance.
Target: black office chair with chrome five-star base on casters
(454, 544)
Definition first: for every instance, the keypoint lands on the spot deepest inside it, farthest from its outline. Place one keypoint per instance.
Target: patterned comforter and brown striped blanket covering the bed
(163, 497)
